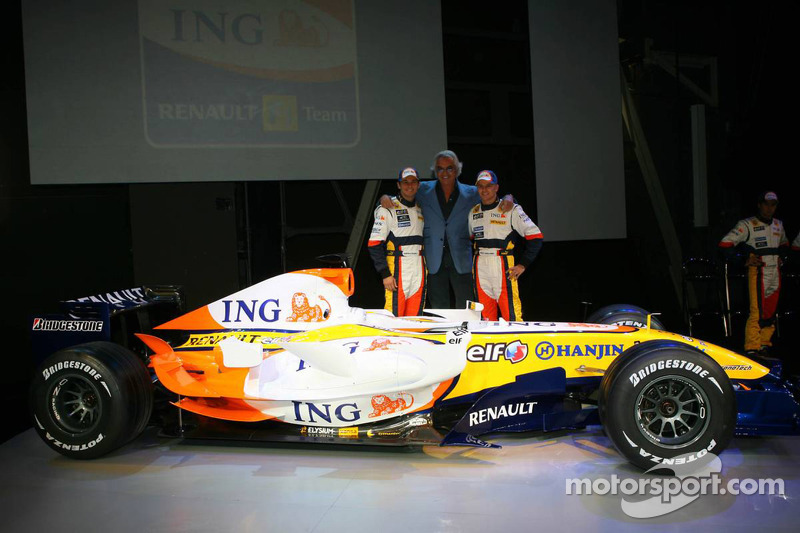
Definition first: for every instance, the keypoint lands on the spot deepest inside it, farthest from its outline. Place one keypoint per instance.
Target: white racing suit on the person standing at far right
(761, 239)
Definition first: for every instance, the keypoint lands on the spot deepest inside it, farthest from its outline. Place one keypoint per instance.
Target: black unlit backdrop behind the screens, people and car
(61, 242)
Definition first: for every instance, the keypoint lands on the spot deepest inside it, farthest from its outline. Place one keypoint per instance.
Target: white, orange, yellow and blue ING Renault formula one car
(288, 359)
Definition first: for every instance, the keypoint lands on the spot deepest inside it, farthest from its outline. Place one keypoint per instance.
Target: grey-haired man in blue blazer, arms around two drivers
(445, 204)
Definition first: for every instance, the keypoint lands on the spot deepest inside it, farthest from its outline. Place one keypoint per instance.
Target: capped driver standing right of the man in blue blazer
(493, 269)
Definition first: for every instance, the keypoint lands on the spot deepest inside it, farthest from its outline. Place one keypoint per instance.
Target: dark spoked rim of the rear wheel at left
(75, 404)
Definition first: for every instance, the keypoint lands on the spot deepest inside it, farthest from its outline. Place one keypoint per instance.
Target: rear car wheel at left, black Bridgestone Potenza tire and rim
(91, 399)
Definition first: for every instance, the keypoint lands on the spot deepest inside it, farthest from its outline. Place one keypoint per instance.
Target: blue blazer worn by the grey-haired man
(455, 227)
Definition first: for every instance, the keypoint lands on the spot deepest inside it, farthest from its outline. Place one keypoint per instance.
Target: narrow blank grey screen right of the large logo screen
(577, 127)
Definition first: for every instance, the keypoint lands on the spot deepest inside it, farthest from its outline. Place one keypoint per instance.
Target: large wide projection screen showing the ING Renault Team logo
(227, 90)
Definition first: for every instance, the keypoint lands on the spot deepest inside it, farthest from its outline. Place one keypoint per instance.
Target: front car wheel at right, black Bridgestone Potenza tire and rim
(661, 399)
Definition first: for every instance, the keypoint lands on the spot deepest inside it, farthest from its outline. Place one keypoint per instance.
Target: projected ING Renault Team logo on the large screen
(249, 73)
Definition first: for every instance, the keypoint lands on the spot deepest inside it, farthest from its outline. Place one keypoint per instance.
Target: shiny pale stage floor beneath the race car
(168, 485)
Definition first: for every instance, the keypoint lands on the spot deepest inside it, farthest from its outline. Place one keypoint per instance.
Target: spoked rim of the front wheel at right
(672, 411)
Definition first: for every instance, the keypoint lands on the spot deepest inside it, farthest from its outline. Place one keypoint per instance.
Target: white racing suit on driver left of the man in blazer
(395, 246)
